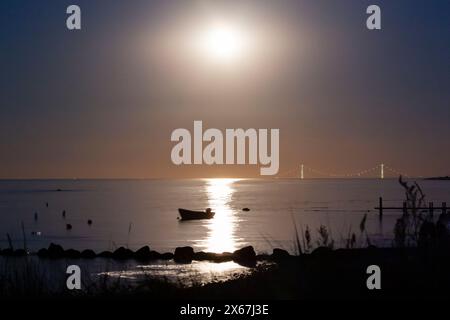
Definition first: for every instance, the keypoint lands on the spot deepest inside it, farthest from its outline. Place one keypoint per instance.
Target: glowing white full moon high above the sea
(222, 43)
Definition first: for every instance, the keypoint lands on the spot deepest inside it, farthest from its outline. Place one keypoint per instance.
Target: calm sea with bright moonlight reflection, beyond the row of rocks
(150, 207)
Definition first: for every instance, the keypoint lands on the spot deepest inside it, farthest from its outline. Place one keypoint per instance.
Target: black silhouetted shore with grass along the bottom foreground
(323, 273)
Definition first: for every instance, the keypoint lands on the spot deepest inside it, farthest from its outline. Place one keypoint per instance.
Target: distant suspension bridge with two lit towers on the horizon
(380, 171)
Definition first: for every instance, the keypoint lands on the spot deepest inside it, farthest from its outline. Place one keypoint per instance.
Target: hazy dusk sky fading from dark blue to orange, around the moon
(102, 102)
